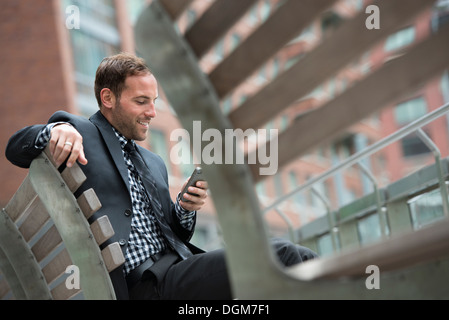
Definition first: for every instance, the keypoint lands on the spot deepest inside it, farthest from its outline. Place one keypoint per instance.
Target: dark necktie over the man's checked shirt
(150, 187)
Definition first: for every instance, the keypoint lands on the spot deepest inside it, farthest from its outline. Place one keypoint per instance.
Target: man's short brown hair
(113, 71)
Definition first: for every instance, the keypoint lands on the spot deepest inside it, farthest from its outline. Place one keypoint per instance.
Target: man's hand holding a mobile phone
(194, 191)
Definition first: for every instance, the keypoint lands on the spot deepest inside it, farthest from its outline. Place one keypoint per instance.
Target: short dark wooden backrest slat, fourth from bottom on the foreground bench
(214, 23)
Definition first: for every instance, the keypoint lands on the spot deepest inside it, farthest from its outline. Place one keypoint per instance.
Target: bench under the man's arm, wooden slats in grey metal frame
(44, 234)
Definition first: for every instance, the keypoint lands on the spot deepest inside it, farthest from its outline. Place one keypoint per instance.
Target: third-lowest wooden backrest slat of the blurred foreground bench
(283, 26)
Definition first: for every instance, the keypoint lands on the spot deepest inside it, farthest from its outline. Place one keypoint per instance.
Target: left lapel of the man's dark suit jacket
(113, 144)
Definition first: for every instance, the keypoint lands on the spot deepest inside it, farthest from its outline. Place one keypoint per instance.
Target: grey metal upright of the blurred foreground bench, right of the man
(193, 98)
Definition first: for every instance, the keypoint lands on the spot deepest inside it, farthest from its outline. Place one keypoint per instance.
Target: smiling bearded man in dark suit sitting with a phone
(132, 185)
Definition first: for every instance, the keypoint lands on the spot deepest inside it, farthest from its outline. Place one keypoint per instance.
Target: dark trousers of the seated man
(204, 276)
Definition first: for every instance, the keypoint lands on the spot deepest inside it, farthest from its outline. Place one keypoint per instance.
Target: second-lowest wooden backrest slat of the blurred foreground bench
(350, 41)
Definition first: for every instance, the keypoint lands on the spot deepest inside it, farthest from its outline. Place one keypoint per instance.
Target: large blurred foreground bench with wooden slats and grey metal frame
(174, 59)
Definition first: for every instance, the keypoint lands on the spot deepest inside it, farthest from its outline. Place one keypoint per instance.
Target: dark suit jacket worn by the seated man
(107, 174)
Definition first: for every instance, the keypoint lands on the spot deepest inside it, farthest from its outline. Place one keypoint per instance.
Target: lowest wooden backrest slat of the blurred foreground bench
(394, 80)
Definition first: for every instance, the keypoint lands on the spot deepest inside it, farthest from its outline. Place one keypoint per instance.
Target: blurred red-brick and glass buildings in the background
(49, 58)
